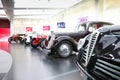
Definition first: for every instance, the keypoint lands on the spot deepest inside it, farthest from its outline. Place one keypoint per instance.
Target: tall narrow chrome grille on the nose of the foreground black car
(87, 52)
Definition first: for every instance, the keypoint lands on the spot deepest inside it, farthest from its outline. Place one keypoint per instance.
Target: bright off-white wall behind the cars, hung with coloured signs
(104, 10)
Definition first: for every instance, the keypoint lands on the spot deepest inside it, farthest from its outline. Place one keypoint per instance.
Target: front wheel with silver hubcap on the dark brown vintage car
(64, 49)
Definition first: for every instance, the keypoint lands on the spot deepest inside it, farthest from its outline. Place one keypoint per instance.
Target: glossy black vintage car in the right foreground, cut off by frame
(99, 58)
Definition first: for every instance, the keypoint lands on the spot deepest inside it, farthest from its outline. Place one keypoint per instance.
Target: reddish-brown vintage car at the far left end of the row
(17, 38)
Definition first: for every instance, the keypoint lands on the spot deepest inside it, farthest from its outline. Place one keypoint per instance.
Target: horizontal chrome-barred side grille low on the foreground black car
(107, 69)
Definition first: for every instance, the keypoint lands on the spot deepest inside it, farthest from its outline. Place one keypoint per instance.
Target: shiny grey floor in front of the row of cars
(34, 64)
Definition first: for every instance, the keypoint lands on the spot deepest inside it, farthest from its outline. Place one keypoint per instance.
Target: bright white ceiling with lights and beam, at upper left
(33, 8)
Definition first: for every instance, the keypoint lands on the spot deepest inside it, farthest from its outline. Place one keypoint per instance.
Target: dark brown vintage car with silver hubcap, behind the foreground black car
(63, 44)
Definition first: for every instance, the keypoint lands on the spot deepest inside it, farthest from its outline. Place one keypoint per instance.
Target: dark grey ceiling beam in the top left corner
(8, 6)
